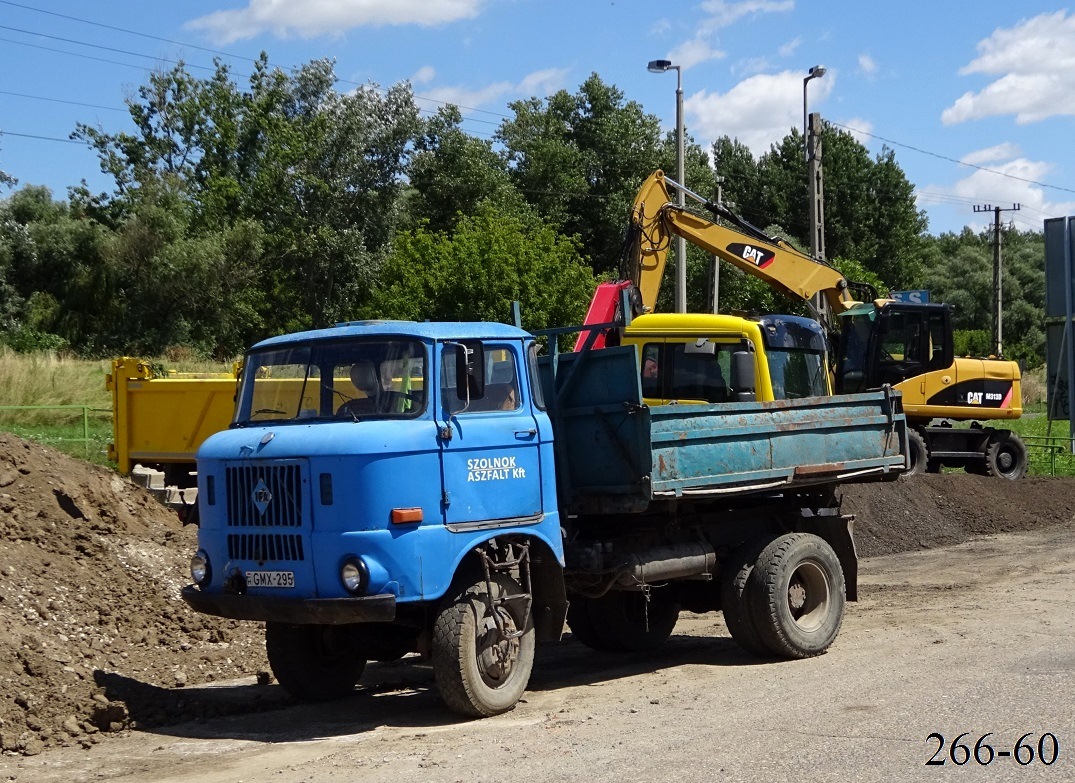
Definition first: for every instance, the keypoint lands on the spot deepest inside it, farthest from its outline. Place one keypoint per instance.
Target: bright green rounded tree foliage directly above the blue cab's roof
(476, 274)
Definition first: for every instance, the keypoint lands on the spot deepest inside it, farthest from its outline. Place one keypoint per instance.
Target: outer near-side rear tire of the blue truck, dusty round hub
(797, 596)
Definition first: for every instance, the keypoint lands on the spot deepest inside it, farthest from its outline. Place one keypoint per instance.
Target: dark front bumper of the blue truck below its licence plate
(295, 611)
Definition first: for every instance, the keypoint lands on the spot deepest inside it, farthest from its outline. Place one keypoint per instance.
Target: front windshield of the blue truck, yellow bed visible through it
(339, 380)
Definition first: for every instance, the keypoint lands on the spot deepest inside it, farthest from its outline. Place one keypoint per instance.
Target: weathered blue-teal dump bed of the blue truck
(617, 455)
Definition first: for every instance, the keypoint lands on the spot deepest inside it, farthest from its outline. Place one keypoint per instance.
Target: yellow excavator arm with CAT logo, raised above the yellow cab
(655, 220)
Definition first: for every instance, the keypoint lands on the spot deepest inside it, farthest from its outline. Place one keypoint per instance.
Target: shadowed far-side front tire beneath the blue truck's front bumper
(313, 663)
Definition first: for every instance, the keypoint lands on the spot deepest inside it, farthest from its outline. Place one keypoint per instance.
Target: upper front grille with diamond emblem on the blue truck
(268, 495)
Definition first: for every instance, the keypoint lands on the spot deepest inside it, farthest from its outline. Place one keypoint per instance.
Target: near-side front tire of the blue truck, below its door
(478, 672)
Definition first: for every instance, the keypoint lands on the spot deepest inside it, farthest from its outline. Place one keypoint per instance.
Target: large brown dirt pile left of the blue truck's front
(91, 568)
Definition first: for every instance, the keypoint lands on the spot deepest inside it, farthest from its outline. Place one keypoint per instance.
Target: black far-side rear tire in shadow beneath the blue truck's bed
(623, 622)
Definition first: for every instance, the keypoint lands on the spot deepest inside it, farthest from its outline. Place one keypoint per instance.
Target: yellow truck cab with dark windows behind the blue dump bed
(691, 358)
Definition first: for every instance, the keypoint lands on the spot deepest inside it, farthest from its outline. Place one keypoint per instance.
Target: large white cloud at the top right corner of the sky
(1035, 66)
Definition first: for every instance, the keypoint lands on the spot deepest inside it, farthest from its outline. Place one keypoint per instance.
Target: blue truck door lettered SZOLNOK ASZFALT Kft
(490, 465)
